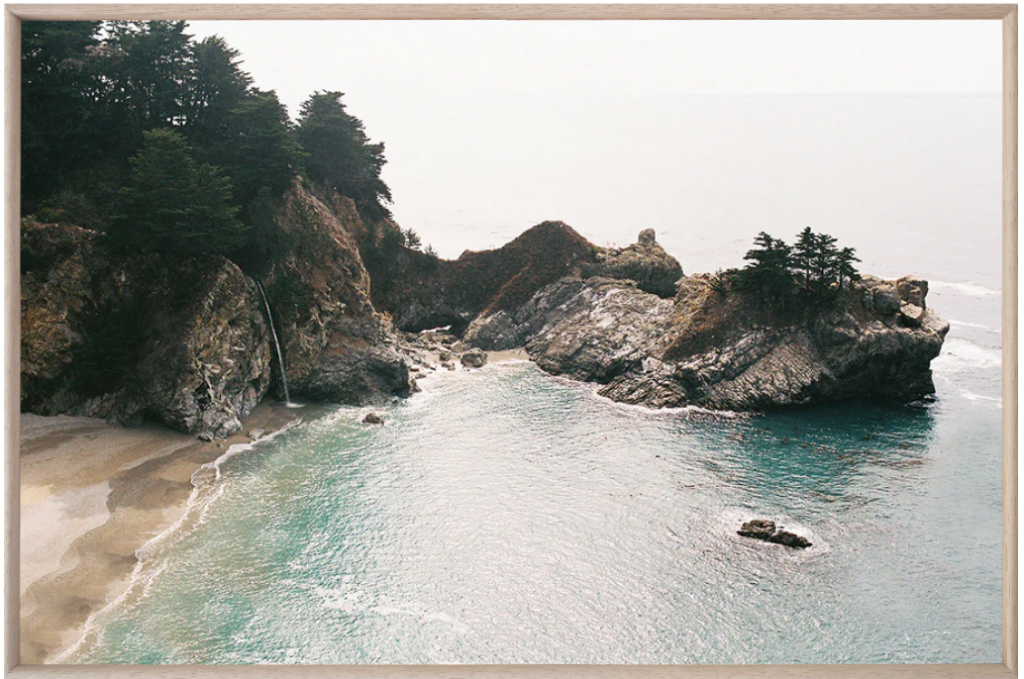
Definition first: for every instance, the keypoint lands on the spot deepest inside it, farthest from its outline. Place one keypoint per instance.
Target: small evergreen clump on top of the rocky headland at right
(814, 267)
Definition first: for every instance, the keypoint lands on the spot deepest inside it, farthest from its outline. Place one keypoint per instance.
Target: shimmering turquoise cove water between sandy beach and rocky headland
(507, 517)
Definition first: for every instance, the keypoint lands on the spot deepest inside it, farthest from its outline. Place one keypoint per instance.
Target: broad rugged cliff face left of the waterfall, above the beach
(123, 338)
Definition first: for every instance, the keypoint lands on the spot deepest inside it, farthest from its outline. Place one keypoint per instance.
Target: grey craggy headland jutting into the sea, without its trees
(724, 350)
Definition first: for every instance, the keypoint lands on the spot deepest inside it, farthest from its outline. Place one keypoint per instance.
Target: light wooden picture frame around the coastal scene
(1007, 14)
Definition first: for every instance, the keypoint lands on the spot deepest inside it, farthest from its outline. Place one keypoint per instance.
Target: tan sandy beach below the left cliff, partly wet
(93, 494)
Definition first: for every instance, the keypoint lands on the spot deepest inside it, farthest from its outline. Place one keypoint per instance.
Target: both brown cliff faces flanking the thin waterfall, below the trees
(130, 337)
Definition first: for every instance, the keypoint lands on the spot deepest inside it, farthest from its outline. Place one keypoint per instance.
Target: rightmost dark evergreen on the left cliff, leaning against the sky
(340, 155)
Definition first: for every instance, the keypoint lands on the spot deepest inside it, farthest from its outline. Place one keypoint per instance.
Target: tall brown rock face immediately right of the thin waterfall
(337, 348)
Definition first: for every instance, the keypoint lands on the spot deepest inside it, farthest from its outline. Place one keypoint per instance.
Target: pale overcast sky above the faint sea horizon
(395, 61)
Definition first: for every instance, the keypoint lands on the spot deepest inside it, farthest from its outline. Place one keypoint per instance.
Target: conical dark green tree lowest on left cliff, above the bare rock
(175, 205)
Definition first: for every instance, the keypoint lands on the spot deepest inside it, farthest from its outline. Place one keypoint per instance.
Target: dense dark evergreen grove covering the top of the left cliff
(136, 129)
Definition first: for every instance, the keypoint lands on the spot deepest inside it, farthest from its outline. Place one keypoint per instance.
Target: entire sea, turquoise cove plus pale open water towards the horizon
(504, 516)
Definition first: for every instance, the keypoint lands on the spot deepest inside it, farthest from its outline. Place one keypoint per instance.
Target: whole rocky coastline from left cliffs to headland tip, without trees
(133, 337)
